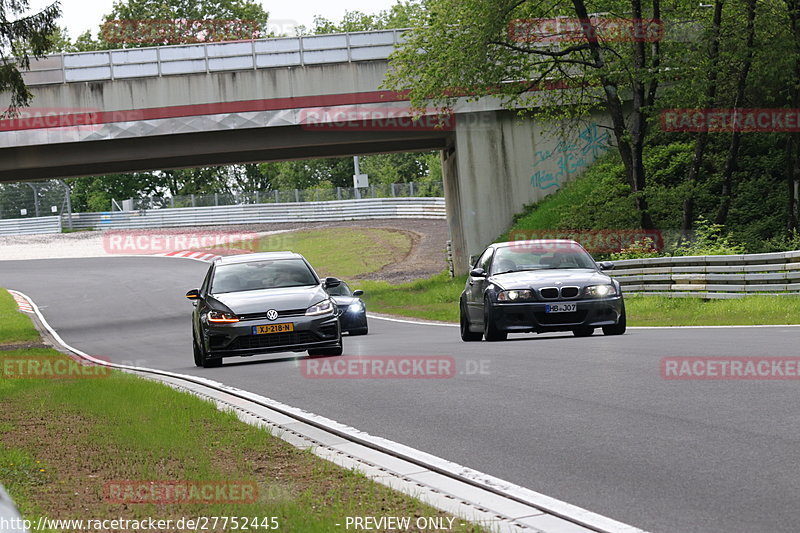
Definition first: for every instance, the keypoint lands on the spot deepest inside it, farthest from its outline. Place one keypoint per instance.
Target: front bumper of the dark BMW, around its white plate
(532, 316)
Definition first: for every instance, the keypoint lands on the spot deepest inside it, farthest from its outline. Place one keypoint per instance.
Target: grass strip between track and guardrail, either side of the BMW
(437, 299)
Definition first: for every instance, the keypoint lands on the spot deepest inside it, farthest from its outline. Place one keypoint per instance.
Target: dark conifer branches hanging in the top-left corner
(22, 36)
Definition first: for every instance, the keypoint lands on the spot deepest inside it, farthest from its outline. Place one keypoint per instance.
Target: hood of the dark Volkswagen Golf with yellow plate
(284, 299)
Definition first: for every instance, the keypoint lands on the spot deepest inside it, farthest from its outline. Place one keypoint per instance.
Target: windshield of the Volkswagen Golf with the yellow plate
(256, 275)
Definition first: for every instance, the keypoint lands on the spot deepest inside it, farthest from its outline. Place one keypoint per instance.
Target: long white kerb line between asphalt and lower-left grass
(473, 478)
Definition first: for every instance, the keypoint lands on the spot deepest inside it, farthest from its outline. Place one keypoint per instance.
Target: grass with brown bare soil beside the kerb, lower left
(63, 439)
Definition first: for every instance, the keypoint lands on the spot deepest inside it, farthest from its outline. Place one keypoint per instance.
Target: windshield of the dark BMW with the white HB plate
(540, 257)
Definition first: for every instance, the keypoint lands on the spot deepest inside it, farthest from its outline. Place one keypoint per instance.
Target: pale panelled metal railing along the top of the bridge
(213, 57)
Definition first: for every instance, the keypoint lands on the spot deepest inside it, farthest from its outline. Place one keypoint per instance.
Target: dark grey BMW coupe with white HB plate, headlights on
(539, 286)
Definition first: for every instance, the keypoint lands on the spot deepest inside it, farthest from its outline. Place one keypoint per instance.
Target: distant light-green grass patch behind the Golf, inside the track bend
(343, 252)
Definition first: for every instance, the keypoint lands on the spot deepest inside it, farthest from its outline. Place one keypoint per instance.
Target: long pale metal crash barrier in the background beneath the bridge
(426, 208)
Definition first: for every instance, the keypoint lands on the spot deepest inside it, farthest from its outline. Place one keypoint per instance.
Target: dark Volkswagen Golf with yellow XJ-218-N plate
(261, 303)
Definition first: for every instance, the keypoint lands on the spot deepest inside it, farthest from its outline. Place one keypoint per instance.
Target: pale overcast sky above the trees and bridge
(81, 15)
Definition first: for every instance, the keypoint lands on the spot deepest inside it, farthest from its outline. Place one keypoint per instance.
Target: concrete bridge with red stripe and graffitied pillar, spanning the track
(278, 99)
